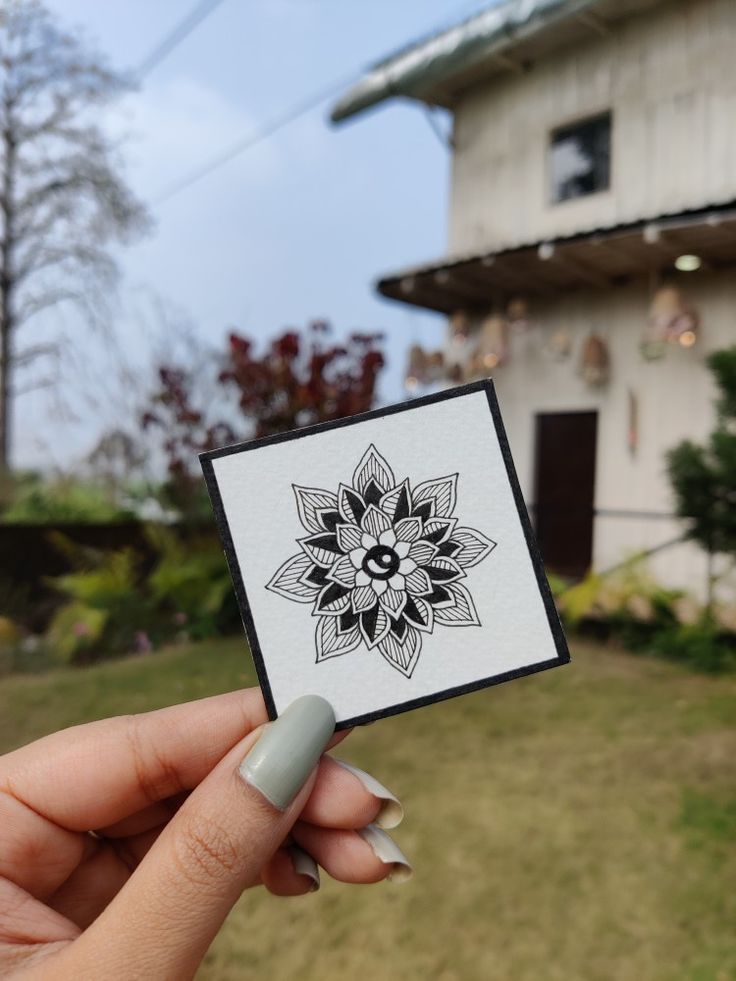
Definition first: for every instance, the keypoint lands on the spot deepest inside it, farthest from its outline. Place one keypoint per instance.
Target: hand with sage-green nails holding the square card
(125, 843)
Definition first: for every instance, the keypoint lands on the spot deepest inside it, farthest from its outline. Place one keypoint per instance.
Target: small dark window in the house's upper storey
(580, 158)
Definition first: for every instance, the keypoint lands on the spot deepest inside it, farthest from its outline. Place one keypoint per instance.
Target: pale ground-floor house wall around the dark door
(674, 395)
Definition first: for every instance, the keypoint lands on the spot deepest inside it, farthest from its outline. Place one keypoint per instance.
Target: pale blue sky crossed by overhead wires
(295, 229)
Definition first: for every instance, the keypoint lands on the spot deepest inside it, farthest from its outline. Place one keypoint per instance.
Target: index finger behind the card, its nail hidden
(96, 774)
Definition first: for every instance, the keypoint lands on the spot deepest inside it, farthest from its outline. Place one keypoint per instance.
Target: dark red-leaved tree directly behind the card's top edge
(300, 379)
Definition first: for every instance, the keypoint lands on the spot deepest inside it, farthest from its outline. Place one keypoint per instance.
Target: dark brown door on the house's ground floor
(564, 490)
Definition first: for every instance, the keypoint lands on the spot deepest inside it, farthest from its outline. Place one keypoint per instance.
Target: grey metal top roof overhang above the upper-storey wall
(505, 36)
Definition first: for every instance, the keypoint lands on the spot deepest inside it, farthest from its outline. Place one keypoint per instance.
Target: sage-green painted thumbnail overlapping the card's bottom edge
(289, 749)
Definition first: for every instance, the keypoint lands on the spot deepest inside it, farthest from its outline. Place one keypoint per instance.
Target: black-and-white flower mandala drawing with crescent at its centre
(382, 563)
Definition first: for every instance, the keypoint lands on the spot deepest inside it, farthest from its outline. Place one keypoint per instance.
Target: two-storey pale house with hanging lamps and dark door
(591, 262)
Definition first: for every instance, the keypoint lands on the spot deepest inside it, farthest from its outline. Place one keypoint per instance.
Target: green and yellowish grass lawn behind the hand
(578, 824)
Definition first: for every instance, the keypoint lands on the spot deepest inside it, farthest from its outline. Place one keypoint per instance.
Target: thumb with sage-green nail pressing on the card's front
(165, 917)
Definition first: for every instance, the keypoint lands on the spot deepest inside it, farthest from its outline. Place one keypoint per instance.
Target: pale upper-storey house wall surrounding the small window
(669, 77)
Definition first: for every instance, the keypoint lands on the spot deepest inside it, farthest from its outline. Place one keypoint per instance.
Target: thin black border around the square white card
(485, 385)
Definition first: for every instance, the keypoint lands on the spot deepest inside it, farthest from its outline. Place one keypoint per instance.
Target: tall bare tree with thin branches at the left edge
(62, 199)
